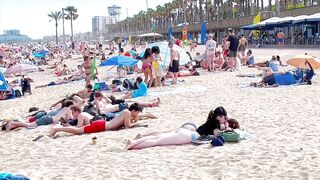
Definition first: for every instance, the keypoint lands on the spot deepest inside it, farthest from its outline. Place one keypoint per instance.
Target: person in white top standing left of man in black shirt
(211, 46)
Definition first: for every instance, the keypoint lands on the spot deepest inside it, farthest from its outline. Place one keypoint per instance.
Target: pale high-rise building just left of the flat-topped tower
(99, 26)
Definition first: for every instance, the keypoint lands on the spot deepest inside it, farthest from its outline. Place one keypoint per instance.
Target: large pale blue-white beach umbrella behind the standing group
(165, 53)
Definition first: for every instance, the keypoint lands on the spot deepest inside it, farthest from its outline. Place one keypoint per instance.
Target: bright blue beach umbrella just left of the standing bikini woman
(119, 61)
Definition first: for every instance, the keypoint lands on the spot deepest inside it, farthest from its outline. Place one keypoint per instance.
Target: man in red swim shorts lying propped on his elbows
(127, 119)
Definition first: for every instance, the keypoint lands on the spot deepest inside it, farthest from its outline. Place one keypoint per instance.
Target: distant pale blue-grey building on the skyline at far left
(13, 36)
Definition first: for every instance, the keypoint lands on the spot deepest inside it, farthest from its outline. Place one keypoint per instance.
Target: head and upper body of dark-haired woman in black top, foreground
(216, 122)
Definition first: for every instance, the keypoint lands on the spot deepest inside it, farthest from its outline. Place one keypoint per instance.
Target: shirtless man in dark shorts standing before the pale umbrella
(174, 63)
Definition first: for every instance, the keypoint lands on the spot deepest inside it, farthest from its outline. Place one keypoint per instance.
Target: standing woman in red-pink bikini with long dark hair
(146, 66)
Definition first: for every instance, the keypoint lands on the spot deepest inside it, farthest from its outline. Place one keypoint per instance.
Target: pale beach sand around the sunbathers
(284, 121)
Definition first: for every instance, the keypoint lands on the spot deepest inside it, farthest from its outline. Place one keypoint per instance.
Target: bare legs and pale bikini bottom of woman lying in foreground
(183, 135)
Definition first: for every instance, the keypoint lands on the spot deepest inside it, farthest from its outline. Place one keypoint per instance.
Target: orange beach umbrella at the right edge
(299, 61)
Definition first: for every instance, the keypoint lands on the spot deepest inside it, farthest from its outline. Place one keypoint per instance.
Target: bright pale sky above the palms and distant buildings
(30, 16)
